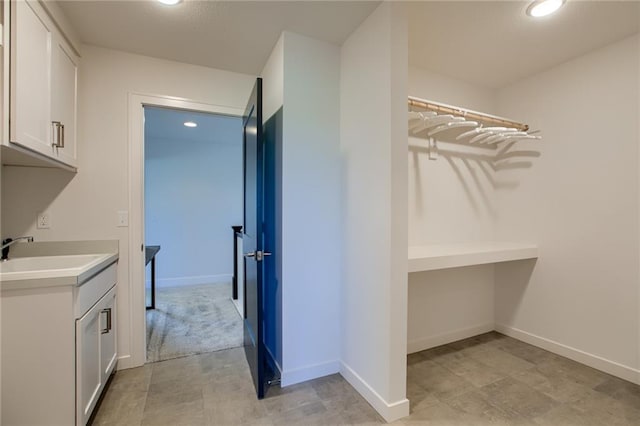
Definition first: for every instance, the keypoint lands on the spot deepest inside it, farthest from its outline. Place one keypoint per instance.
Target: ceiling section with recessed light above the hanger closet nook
(493, 44)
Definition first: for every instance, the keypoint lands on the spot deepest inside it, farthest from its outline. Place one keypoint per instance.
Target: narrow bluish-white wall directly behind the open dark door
(311, 224)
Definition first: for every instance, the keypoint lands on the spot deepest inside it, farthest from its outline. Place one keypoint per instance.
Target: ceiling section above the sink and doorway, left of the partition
(230, 35)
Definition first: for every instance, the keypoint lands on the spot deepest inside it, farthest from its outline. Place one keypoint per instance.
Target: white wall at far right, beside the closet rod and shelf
(580, 204)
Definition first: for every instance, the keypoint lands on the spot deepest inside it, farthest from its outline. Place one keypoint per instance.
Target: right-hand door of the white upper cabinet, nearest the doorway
(64, 73)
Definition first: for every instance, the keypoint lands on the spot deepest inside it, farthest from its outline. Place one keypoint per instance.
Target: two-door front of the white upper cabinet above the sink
(43, 86)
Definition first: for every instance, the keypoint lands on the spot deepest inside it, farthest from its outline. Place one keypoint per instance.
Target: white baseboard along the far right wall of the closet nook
(599, 363)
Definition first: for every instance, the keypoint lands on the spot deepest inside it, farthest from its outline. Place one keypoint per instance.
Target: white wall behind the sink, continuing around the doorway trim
(84, 206)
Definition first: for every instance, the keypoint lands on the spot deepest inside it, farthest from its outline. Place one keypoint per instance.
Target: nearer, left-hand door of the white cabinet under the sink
(88, 374)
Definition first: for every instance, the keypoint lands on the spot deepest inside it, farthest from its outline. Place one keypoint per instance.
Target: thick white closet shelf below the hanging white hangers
(443, 256)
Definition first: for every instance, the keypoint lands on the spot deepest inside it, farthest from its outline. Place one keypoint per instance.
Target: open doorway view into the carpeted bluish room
(193, 189)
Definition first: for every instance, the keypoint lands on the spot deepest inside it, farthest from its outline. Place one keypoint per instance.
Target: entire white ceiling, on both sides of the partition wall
(488, 43)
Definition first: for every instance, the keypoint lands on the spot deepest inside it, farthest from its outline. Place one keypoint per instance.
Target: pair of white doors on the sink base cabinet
(95, 353)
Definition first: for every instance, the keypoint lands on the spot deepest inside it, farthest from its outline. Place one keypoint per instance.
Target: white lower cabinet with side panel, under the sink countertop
(58, 350)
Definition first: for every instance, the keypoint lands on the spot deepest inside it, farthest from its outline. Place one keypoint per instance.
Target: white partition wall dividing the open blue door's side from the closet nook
(373, 90)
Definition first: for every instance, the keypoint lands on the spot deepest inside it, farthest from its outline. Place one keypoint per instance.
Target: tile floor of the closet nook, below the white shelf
(496, 380)
